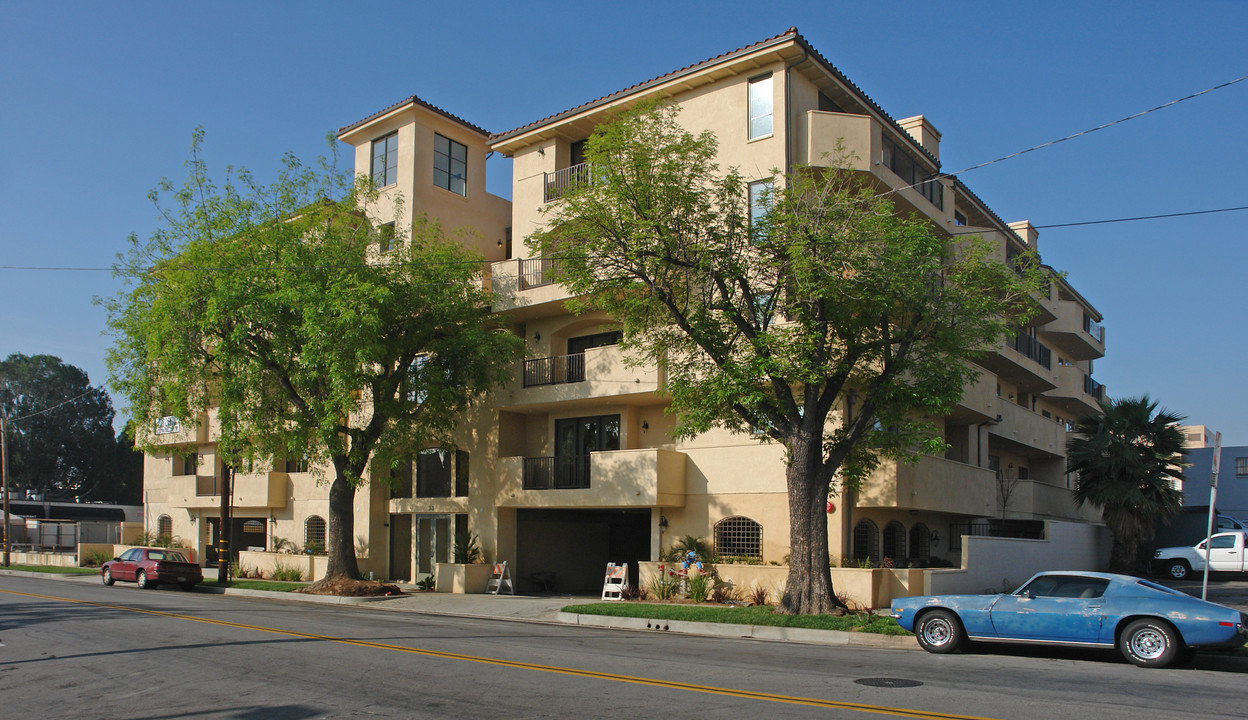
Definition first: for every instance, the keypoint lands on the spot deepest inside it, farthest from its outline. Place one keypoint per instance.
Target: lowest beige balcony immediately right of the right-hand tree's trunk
(934, 485)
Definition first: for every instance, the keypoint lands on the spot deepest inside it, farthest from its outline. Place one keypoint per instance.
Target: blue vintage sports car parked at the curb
(1151, 625)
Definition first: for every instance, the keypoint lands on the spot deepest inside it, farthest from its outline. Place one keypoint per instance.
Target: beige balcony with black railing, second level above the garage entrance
(598, 374)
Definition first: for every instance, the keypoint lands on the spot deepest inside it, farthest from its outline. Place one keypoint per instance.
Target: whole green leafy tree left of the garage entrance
(273, 304)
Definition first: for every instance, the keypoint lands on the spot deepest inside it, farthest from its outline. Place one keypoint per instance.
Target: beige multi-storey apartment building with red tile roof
(572, 465)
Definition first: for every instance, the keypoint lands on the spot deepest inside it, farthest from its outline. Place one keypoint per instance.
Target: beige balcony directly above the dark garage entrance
(643, 479)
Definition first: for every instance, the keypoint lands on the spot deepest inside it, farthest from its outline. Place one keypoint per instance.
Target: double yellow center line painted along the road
(573, 672)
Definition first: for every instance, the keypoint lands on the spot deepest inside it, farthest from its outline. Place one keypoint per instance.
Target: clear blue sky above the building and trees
(98, 102)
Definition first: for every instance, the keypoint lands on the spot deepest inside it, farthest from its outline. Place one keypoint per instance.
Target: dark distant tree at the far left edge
(62, 442)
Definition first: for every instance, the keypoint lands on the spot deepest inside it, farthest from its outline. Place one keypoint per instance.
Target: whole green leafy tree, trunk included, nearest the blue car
(769, 325)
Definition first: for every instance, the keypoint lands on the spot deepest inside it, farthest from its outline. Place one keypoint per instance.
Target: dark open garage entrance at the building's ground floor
(567, 551)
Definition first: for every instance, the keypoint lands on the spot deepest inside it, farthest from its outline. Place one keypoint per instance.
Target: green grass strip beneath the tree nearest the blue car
(742, 616)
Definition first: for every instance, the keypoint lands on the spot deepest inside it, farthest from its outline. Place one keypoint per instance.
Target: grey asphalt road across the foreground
(77, 649)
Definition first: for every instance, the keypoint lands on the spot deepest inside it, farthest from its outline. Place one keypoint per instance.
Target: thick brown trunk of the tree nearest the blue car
(809, 588)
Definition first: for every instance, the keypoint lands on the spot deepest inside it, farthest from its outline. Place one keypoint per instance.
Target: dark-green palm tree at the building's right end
(1128, 459)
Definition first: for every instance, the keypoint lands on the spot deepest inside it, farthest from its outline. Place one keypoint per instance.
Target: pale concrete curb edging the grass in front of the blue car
(771, 633)
